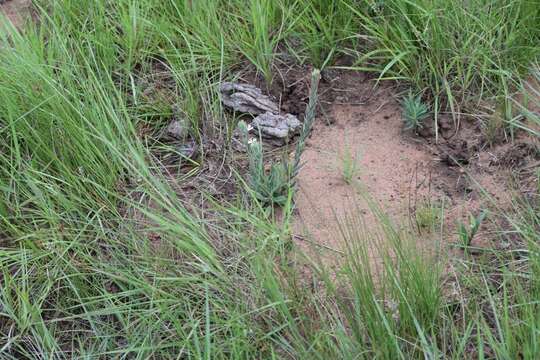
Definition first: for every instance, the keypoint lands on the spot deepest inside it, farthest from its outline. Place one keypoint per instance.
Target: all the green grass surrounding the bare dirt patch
(81, 278)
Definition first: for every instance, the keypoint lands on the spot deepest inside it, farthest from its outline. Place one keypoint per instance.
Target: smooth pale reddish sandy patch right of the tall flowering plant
(368, 129)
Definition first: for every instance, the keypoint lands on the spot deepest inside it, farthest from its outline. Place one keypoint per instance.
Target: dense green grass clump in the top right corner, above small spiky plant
(460, 54)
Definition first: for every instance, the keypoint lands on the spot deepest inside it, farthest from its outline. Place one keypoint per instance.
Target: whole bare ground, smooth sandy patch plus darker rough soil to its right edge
(401, 171)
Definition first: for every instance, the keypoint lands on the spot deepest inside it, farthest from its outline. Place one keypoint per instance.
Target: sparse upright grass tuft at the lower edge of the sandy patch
(409, 303)
